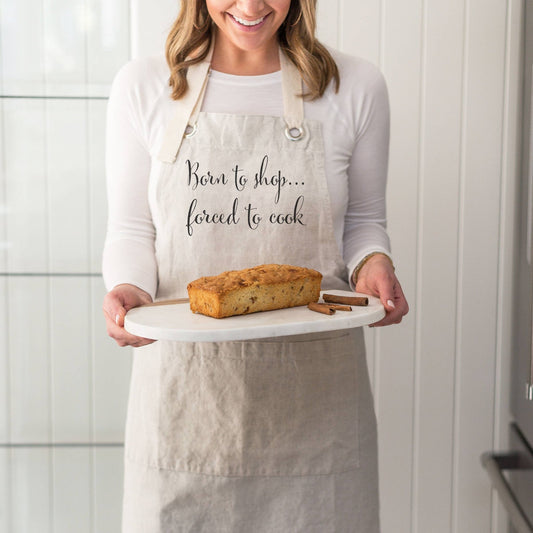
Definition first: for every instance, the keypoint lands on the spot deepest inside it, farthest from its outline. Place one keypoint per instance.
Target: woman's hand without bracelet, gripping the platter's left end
(117, 303)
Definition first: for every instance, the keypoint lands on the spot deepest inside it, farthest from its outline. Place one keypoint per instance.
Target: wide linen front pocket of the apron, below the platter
(260, 408)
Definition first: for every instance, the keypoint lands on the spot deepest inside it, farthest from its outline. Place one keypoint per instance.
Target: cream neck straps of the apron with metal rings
(184, 122)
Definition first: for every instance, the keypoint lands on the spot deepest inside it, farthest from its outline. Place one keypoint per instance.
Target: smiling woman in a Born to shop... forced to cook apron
(225, 168)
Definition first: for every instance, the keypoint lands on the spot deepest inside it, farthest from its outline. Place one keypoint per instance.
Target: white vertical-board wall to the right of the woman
(440, 380)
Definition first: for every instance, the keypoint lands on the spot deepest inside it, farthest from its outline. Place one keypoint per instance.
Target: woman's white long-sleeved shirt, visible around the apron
(355, 125)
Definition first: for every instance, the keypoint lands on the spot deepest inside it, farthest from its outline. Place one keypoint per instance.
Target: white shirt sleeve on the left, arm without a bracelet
(128, 255)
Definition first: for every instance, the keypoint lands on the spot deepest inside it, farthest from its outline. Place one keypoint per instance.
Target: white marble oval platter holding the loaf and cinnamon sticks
(177, 322)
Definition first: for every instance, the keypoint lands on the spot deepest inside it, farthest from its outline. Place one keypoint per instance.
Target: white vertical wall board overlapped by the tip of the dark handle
(479, 252)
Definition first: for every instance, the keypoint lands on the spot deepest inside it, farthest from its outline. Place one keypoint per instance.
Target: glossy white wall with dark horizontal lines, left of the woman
(63, 384)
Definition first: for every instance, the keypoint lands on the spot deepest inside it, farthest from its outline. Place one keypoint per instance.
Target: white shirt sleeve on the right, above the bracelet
(365, 220)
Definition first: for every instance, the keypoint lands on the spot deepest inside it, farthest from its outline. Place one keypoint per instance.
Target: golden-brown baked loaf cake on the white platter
(261, 288)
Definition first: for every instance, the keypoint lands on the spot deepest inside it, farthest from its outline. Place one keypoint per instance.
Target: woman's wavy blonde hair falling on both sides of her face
(191, 35)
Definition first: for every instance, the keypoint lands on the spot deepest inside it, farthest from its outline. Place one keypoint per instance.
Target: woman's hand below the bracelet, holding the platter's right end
(377, 278)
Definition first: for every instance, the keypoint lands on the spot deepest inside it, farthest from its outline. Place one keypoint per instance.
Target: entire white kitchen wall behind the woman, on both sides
(440, 379)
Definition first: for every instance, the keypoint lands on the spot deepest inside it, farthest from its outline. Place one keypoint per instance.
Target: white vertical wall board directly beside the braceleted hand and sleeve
(395, 358)
